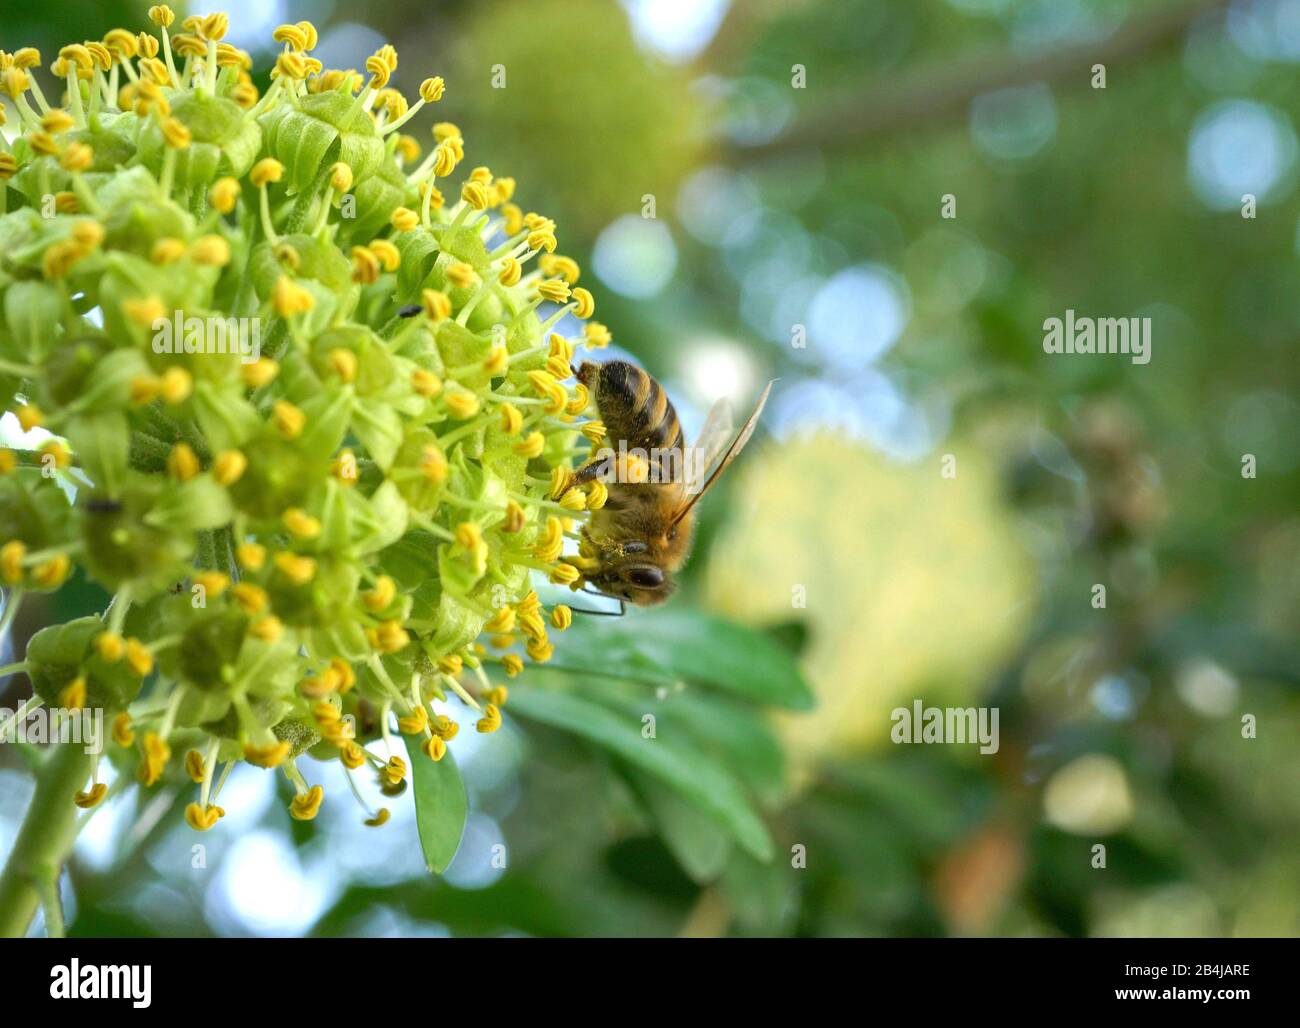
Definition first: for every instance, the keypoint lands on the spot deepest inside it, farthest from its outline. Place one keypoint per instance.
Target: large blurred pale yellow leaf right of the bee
(917, 587)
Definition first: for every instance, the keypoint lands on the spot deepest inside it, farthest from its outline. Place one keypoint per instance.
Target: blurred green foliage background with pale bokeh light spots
(796, 158)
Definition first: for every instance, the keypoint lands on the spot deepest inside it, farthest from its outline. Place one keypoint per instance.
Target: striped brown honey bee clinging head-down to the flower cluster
(635, 544)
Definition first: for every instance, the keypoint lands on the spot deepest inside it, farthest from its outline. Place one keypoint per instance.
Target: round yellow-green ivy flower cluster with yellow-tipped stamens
(311, 540)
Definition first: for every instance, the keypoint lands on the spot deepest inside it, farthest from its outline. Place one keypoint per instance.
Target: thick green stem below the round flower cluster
(45, 840)
